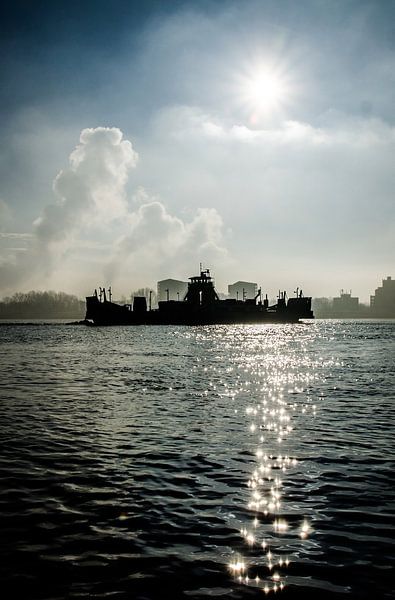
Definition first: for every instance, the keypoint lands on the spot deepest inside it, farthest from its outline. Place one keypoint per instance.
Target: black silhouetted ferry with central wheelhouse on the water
(200, 306)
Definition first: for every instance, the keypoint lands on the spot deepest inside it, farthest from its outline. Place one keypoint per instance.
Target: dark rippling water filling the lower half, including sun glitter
(170, 462)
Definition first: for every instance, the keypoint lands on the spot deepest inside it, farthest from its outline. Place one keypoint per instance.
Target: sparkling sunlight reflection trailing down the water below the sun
(276, 388)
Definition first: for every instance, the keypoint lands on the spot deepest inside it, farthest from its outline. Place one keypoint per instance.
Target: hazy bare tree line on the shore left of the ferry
(42, 305)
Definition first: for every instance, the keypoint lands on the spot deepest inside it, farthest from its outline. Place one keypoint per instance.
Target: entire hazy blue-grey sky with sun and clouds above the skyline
(142, 138)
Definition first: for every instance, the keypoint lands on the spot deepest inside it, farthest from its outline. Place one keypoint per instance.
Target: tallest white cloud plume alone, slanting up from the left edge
(90, 191)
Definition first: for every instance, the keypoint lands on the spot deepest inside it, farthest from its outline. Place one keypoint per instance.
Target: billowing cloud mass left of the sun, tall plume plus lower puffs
(91, 204)
